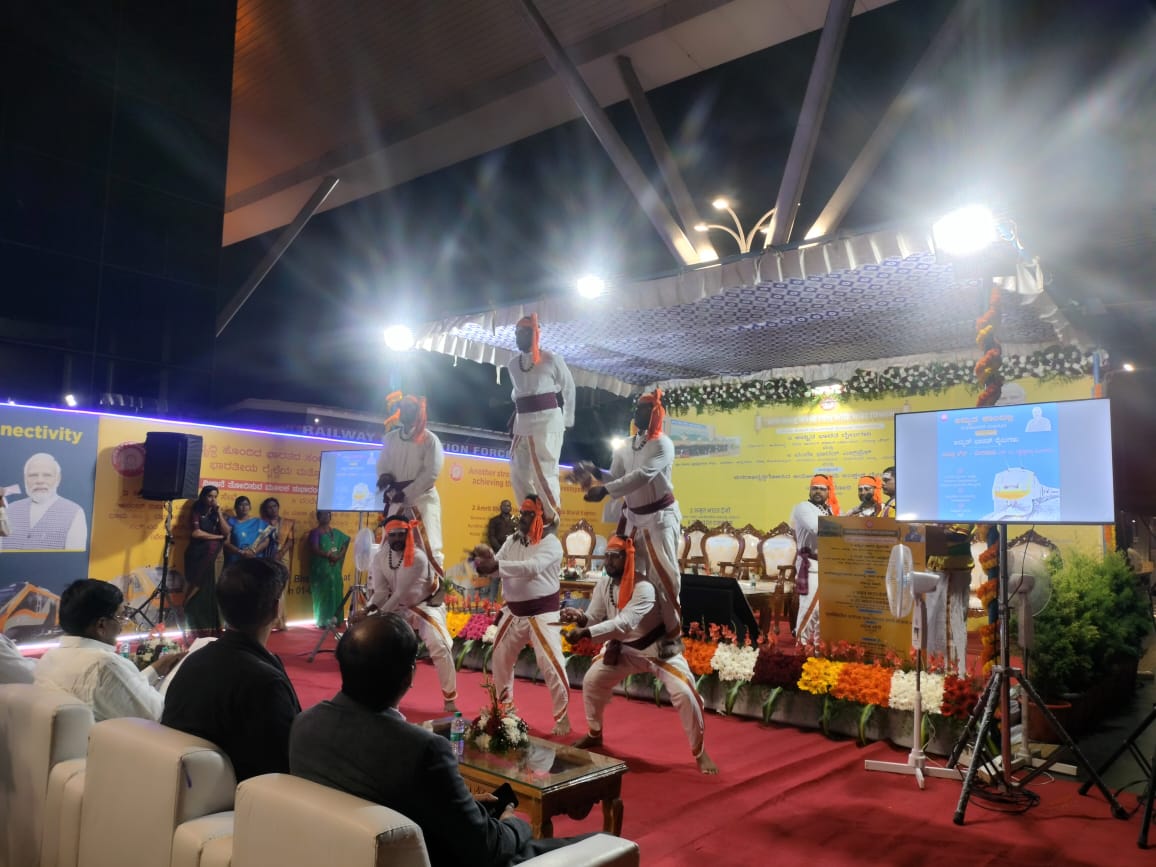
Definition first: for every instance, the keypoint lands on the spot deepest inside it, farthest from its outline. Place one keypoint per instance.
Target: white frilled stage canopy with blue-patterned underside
(819, 312)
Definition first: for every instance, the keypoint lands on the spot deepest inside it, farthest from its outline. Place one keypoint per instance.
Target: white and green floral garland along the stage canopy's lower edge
(1058, 362)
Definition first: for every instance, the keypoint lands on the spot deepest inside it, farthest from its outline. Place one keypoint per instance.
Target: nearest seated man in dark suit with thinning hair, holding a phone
(359, 743)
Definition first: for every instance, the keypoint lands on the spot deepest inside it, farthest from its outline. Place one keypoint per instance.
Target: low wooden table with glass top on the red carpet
(551, 780)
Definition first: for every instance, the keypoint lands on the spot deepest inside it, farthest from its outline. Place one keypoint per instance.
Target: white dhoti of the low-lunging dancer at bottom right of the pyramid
(598, 688)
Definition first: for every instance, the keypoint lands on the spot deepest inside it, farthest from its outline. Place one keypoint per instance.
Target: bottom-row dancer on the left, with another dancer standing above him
(402, 581)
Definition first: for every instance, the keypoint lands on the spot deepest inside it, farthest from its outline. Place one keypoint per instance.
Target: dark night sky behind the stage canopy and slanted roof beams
(1042, 110)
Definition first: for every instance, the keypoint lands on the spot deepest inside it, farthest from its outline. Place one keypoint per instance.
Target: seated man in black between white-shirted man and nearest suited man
(234, 692)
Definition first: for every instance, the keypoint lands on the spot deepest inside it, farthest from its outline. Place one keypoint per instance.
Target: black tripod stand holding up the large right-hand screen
(999, 691)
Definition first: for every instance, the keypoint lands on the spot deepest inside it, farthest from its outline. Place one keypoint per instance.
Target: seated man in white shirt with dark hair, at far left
(86, 664)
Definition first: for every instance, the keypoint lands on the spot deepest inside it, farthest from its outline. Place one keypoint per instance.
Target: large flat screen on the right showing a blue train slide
(1029, 464)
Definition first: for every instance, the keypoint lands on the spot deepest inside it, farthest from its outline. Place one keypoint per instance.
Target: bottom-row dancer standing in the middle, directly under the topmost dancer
(530, 565)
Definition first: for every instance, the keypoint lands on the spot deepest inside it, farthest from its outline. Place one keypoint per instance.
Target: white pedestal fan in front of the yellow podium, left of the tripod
(907, 591)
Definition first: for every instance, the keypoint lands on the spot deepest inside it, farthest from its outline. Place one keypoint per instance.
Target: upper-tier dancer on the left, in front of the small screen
(410, 465)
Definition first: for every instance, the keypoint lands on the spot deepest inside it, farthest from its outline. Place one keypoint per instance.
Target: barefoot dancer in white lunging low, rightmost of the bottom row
(625, 612)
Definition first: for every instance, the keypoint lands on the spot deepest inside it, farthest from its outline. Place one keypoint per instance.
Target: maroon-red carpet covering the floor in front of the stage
(783, 796)
